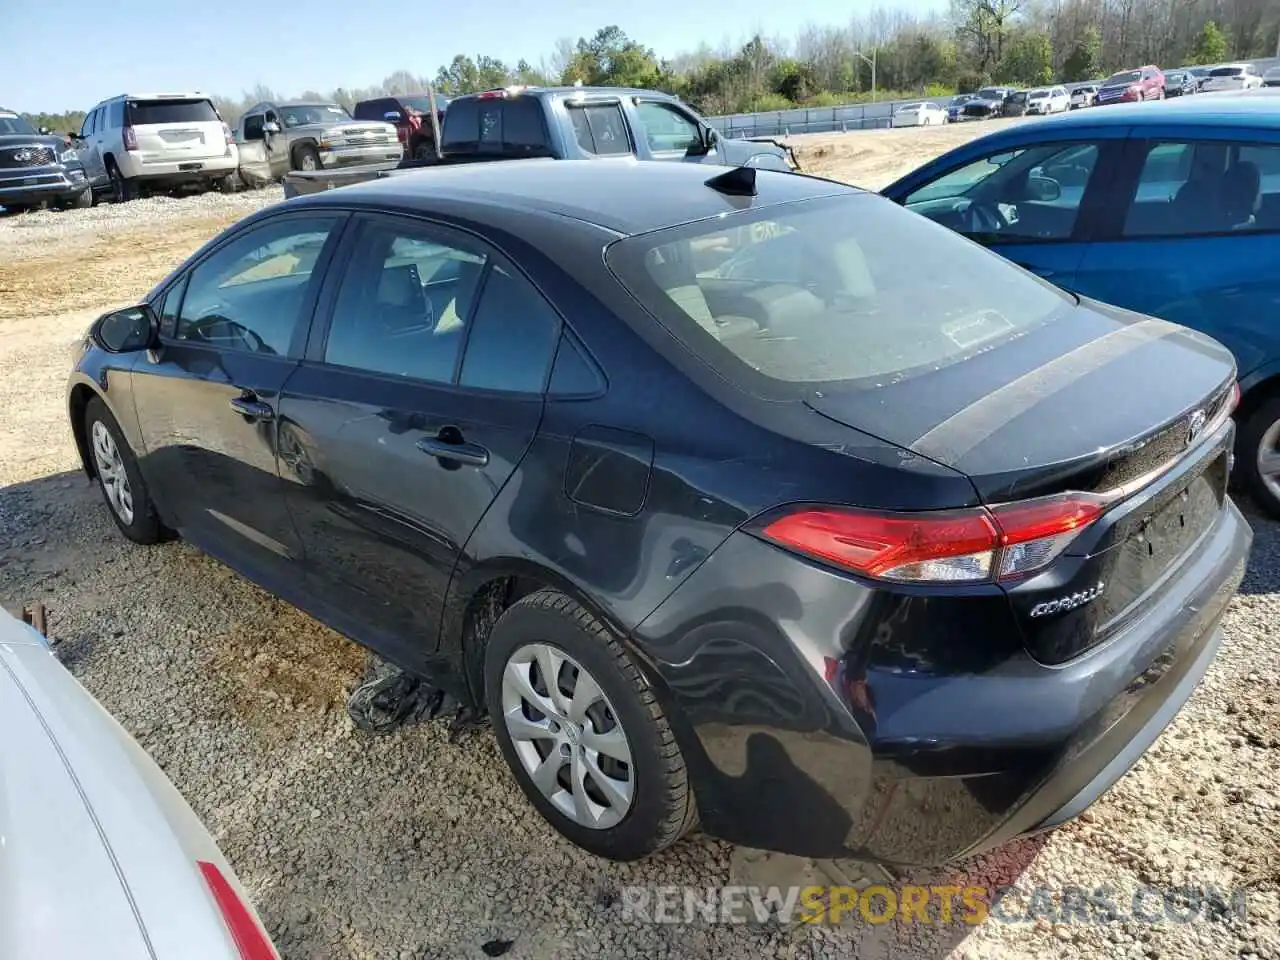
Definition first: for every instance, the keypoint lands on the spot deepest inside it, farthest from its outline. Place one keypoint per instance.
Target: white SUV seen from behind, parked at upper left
(163, 140)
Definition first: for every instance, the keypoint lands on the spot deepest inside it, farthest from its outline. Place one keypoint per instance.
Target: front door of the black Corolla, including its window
(208, 399)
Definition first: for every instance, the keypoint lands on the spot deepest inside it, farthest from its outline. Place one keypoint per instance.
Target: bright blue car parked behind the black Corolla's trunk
(1167, 209)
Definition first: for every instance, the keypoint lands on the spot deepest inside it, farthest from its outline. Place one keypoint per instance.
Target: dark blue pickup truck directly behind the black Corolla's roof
(568, 124)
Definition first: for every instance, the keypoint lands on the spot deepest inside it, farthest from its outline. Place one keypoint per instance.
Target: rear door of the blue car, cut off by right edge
(1194, 236)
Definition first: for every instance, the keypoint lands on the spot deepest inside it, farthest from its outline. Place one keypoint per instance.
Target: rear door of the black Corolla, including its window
(422, 391)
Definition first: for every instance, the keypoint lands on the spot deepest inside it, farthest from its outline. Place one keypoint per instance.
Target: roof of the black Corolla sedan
(624, 196)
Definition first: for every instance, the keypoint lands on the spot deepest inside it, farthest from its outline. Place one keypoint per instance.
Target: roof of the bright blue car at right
(1255, 108)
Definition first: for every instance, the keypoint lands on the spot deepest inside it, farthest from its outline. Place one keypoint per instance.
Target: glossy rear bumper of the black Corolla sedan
(826, 719)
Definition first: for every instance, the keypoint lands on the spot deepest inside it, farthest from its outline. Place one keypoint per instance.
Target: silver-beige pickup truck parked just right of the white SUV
(276, 139)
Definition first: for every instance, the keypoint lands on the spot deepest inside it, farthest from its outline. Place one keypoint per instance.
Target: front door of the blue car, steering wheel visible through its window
(1030, 196)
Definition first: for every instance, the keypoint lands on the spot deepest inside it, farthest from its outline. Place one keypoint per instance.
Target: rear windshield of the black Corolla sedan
(851, 289)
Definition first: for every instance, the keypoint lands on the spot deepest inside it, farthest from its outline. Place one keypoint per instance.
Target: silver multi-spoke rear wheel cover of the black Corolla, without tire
(568, 737)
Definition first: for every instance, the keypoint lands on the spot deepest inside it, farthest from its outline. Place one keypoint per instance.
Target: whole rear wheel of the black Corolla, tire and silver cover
(583, 733)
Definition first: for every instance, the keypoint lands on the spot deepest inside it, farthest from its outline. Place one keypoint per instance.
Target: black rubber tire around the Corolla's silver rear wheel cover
(662, 808)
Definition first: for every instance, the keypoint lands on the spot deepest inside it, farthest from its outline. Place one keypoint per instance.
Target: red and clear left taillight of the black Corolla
(963, 546)
